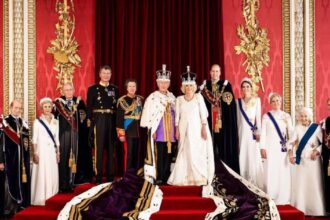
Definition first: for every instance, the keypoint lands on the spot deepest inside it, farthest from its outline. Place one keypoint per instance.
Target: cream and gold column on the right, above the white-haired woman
(298, 54)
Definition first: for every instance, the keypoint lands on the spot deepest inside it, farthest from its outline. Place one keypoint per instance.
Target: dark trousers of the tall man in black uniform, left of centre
(104, 135)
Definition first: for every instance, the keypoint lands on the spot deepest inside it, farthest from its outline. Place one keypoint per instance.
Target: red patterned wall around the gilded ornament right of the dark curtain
(272, 75)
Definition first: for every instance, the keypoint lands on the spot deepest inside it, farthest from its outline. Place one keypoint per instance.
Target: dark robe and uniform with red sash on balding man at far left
(14, 153)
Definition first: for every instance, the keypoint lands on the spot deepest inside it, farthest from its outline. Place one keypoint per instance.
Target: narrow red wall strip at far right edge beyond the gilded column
(322, 49)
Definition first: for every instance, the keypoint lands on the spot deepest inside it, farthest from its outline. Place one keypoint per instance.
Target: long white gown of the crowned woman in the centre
(195, 161)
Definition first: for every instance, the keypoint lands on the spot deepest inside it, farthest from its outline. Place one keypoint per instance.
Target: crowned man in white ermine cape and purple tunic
(158, 117)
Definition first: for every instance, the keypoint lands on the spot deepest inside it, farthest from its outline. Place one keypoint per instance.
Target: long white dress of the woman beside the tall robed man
(250, 162)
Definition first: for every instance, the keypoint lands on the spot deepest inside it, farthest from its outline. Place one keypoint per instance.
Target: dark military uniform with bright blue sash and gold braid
(128, 125)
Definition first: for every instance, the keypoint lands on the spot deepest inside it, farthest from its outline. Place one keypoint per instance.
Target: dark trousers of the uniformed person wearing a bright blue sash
(132, 152)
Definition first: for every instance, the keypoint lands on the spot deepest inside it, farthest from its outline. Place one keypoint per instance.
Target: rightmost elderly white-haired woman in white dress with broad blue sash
(304, 149)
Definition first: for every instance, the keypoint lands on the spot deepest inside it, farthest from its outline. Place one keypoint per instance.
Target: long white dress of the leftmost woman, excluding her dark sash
(44, 180)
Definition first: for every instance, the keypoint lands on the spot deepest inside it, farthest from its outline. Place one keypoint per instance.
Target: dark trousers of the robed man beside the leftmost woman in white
(68, 141)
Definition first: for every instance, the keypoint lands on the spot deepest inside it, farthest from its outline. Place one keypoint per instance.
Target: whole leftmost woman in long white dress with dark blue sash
(44, 181)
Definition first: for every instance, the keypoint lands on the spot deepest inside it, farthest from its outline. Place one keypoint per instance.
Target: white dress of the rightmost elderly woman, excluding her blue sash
(307, 183)
